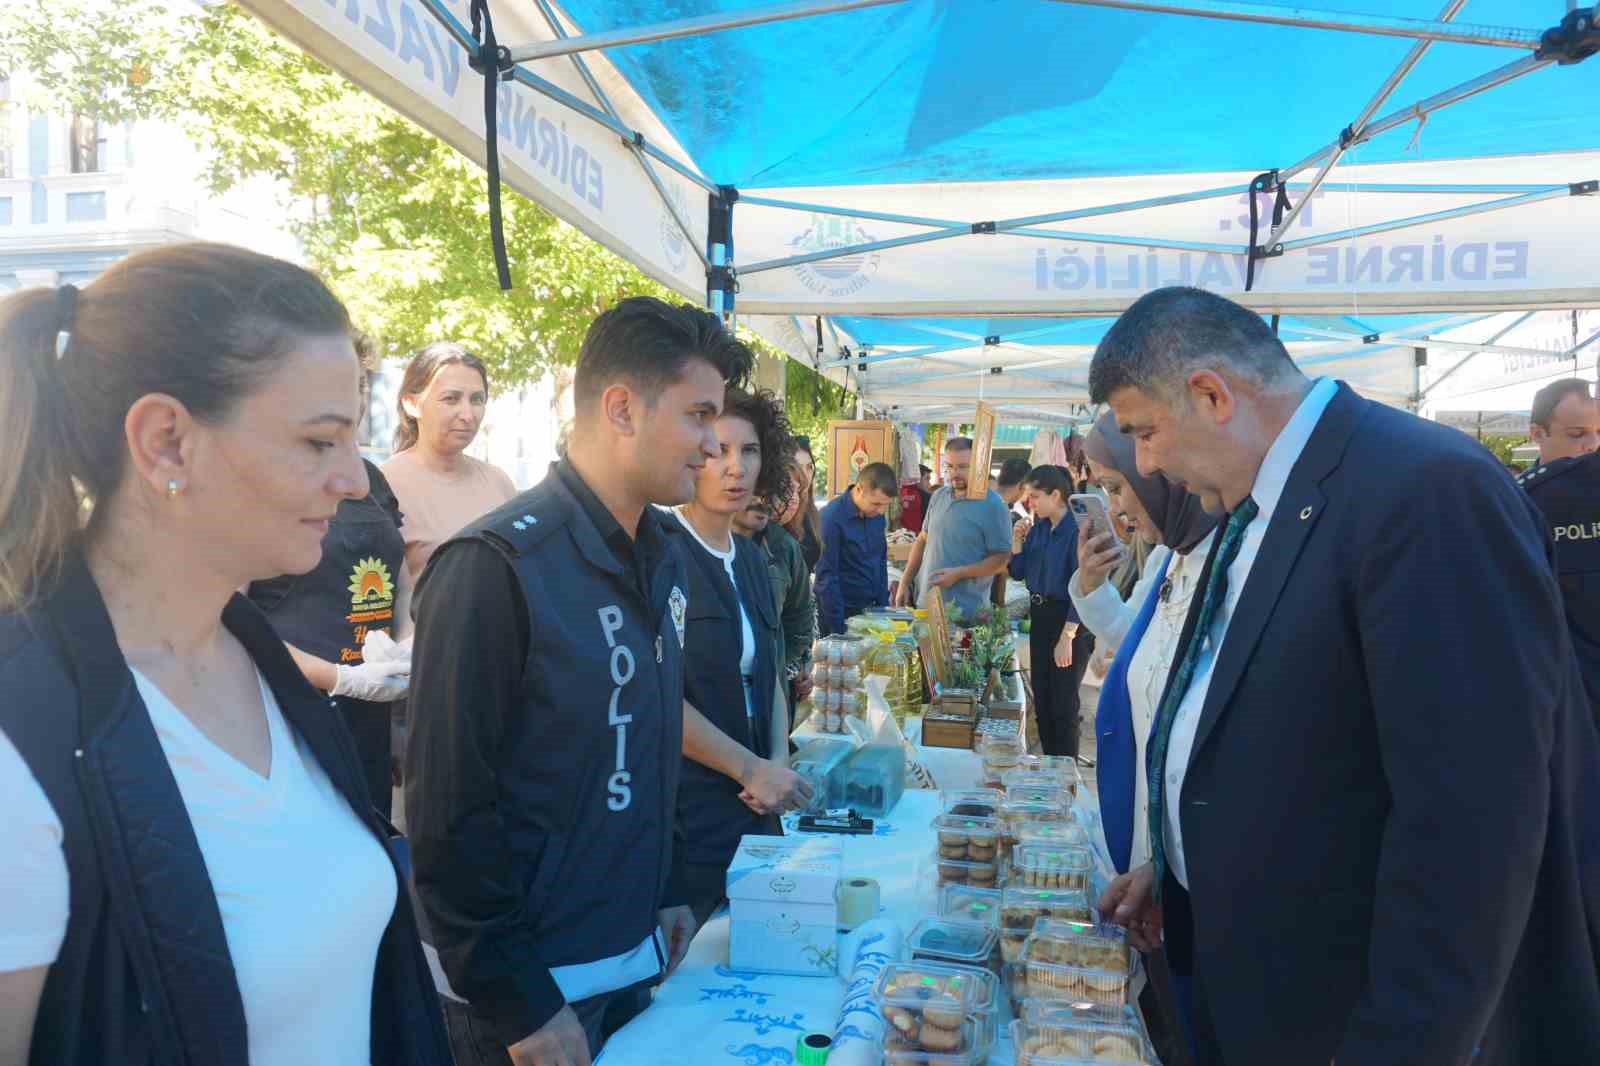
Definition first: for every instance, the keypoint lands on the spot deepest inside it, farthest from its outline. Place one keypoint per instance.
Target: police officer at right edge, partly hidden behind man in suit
(1567, 489)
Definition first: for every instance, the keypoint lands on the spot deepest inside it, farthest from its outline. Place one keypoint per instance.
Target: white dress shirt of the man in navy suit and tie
(1271, 481)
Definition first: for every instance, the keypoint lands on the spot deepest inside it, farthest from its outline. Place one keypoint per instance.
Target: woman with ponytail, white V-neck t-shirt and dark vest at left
(190, 865)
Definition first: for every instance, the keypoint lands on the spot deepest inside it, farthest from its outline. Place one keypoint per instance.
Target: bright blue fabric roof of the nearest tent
(1010, 90)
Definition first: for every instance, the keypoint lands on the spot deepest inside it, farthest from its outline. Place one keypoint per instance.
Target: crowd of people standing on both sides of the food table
(1346, 739)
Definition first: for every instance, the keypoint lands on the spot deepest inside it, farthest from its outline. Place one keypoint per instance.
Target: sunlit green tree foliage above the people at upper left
(394, 218)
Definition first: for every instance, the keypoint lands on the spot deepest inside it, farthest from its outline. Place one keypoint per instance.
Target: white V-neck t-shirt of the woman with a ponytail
(303, 888)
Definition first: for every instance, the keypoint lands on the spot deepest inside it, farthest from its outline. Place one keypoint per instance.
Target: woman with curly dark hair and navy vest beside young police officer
(737, 723)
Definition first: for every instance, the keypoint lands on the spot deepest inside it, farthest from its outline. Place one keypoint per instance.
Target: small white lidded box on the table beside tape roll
(783, 905)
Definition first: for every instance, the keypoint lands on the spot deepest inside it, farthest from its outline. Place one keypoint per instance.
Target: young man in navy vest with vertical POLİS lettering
(548, 710)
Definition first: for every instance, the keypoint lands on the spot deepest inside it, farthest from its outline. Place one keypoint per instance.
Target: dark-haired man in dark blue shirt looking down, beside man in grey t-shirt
(855, 569)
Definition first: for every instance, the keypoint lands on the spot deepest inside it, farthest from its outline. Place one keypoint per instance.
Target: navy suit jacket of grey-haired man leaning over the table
(1391, 816)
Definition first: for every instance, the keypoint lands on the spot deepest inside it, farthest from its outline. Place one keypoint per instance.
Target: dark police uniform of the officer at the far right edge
(1567, 492)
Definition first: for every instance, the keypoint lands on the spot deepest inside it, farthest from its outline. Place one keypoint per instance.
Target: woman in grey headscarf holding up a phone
(1146, 628)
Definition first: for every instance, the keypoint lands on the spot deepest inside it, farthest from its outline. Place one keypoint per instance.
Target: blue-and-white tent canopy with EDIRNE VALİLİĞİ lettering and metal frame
(945, 199)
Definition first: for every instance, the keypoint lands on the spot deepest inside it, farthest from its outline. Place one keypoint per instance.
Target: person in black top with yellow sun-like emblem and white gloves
(326, 615)
